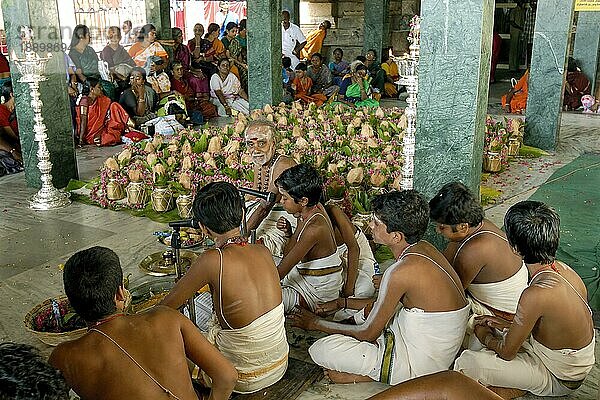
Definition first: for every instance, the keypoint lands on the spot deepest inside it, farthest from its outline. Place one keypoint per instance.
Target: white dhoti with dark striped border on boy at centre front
(416, 343)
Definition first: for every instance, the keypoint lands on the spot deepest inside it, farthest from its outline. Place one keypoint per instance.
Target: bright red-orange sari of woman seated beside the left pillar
(105, 119)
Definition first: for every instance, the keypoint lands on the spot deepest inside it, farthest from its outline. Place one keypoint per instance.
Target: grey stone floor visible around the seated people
(33, 244)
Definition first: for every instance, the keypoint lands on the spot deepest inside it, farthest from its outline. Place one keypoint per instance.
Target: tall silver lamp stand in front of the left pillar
(32, 68)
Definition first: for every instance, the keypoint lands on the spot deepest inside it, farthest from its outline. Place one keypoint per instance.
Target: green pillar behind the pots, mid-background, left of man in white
(265, 84)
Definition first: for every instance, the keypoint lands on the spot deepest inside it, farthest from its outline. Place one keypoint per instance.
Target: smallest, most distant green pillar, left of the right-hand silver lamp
(376, 26)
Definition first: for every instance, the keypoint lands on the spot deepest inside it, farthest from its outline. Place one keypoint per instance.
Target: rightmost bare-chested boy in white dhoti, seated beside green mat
(548, 349)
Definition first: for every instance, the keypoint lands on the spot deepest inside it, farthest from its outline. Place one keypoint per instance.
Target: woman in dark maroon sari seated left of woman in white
(196, 97)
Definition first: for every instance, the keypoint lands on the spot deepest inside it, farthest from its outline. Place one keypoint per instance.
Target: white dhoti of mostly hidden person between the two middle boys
(363, 288)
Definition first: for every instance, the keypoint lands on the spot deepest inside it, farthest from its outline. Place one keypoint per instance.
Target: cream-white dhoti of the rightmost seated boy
(536, 368)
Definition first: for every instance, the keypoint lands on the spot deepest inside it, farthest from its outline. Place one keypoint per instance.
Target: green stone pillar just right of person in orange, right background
(547, 72)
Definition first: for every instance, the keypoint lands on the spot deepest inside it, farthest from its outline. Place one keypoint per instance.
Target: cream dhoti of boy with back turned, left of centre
(259, 351)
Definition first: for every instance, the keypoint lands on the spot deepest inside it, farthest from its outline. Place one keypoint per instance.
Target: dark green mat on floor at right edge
(574, 192)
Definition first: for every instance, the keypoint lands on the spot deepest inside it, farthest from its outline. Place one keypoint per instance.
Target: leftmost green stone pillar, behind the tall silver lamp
(42, 17)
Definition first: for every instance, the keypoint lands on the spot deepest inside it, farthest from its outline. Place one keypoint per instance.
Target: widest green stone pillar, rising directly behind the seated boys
(453, 92)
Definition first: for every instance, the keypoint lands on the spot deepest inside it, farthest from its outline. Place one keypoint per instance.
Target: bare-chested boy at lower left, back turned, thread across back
(122, 356)
